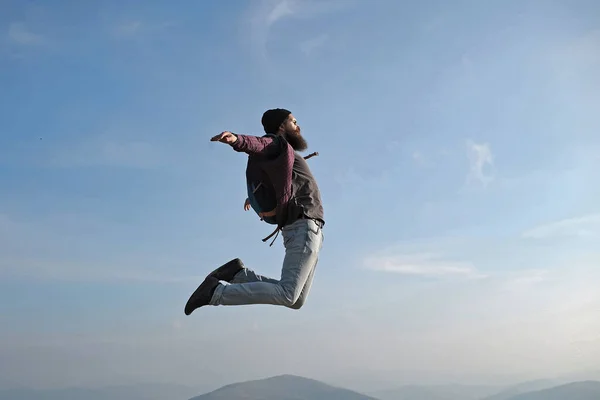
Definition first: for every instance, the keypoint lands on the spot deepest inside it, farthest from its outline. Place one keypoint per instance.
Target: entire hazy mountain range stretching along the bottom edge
(290, 387)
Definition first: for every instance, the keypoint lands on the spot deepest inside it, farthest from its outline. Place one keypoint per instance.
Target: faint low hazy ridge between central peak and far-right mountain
(437, 392)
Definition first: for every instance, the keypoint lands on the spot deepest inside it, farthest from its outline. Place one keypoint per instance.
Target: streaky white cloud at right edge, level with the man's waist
(586, 226)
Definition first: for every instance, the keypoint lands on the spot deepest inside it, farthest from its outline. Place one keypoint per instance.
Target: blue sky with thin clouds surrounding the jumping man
(458, 166)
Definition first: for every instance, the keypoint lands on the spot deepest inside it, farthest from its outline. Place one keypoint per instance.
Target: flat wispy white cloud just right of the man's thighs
(421, 265)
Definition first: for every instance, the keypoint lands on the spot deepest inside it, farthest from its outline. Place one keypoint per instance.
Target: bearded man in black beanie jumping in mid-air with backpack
(282, 177)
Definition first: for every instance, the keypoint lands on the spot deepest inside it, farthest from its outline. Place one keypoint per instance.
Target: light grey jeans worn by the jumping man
(303, 241)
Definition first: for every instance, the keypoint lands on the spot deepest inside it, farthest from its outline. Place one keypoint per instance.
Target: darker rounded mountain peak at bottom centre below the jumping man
(282, 387)
